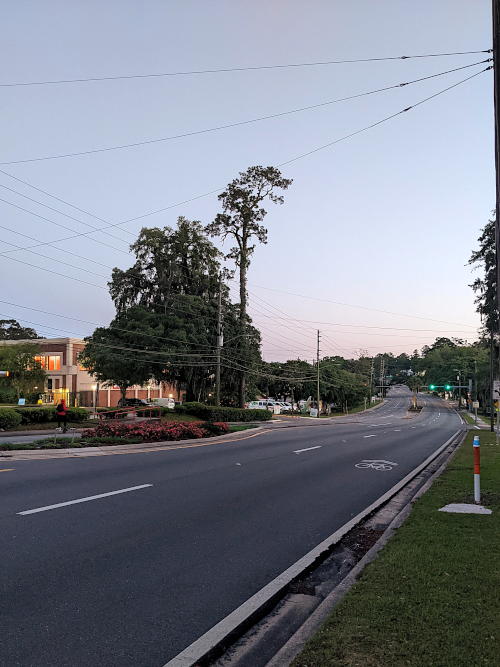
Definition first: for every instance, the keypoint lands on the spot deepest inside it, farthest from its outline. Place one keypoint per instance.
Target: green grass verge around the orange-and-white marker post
(431, 598)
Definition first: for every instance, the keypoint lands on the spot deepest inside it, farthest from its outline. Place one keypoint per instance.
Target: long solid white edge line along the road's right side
(207, 642)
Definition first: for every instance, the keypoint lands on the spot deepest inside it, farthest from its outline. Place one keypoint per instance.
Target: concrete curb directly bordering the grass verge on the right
(296, 643)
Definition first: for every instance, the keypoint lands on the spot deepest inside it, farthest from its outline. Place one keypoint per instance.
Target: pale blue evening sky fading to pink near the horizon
(372, 242)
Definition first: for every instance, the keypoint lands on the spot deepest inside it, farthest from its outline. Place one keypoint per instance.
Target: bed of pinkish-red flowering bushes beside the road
(157, 431)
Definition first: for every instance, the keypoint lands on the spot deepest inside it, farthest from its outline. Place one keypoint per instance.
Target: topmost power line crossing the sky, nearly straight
(237, 69)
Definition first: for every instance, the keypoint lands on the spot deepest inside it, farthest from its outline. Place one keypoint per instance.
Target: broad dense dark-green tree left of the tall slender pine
(166, 322)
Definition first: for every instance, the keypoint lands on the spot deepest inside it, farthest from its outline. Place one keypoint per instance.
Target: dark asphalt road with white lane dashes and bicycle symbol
(131, 579)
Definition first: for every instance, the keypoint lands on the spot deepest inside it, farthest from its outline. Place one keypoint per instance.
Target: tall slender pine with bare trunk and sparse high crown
(242, 213)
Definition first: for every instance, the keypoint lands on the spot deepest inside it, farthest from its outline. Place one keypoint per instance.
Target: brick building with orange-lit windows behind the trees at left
(67, 379)
